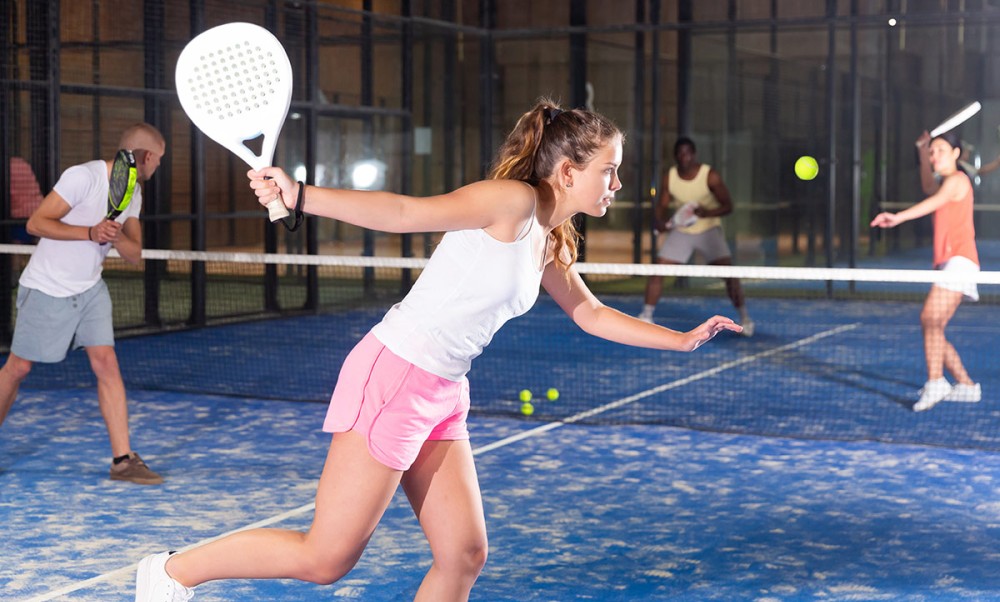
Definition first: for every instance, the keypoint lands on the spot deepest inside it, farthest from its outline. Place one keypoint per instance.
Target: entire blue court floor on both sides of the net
(780, 486)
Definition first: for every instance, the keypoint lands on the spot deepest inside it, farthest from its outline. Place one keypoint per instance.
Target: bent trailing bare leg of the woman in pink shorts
(353, 493)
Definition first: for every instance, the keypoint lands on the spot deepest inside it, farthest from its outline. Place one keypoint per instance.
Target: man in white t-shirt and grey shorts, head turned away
(62, 301)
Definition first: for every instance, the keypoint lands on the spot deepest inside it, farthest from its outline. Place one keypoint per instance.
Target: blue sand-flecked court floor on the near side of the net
(575, 512)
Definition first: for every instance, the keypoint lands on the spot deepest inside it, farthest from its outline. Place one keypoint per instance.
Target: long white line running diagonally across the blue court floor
(487, 448)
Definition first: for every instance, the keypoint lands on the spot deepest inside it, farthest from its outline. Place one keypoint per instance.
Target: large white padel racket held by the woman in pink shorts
(234, 82)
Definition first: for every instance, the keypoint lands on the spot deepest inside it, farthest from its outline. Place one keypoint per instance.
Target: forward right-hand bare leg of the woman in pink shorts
(443, 489)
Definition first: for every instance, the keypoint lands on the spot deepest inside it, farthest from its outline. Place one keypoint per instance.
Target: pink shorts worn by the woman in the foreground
(396, 405)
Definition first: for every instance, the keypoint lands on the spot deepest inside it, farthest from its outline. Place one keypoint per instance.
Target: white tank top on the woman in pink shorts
(472, 285)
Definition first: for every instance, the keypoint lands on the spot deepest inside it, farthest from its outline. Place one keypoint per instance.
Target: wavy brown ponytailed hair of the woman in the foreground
(541, 139)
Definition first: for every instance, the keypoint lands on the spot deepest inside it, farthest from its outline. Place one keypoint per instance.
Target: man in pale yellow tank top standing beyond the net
(698, 198)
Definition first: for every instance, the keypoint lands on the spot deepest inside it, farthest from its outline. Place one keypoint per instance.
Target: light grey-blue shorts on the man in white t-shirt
(47, 327)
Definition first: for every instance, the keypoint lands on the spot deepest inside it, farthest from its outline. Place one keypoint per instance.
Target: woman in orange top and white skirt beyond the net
(950, 201)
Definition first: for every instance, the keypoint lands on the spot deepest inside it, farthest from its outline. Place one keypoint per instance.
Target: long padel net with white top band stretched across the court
(837, 354)
